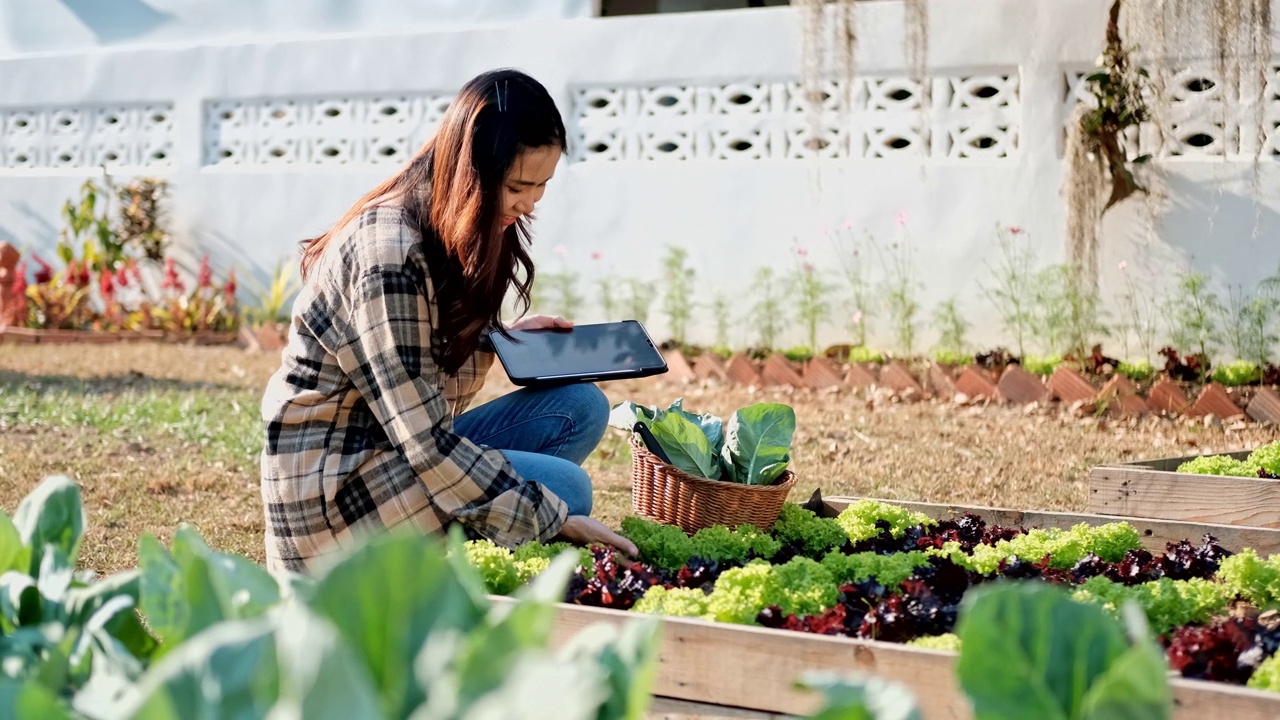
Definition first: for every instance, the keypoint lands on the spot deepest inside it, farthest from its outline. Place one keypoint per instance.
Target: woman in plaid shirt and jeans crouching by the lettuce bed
(365, 420)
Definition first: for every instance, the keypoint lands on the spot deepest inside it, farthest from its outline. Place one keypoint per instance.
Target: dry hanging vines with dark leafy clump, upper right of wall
(1235, 34)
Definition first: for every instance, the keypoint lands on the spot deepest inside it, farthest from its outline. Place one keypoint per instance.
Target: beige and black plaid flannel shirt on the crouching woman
(360, 418)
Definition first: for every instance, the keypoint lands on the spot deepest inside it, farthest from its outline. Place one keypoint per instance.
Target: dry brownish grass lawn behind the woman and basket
(167, 435)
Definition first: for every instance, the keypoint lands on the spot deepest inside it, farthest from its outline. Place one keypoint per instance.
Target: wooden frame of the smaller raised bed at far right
(1154, 489)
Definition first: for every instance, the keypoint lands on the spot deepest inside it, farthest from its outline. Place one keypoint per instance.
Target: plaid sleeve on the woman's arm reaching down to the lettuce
(388, 362)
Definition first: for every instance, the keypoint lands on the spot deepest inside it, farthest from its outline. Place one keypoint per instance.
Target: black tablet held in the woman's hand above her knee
(583, 354)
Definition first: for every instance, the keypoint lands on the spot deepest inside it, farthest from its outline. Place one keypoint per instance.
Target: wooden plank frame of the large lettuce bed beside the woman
(717, 671)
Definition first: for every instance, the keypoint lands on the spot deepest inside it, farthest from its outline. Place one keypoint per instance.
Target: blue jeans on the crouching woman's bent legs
(546, 434)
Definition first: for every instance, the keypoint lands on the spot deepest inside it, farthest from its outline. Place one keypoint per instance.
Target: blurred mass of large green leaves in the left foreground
(396, 628)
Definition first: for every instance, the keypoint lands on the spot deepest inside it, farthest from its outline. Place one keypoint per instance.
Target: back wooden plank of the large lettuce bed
(1155, 534)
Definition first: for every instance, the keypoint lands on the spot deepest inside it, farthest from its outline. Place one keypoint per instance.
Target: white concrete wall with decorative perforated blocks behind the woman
(734, 211)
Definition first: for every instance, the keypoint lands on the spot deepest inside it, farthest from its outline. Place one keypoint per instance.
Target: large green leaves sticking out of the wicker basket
(753, 448)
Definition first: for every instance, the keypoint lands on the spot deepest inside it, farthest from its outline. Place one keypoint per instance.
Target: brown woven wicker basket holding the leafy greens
(669, 495)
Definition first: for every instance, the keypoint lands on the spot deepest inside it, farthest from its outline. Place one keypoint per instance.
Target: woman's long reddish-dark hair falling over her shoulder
(452, 189)
